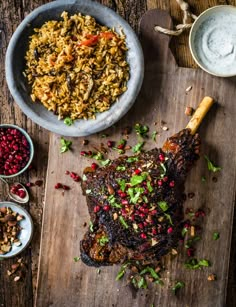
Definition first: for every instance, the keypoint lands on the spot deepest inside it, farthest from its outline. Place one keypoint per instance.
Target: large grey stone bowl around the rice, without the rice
(20, 90)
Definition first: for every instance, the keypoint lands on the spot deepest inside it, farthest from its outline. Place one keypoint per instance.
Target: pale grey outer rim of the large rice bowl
(103, 120)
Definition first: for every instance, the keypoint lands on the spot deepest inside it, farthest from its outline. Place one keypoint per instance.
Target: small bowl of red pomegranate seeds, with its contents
(16, 151)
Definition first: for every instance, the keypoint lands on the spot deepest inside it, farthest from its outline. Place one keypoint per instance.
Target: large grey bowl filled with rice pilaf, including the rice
(75, 68)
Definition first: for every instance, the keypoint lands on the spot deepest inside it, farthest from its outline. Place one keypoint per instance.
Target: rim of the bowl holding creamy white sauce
(197, 23)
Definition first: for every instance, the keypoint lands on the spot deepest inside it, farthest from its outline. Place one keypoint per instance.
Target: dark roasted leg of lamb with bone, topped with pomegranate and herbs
(136, 203)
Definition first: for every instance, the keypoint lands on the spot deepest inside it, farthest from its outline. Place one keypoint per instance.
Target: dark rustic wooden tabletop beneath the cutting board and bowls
(11, 13)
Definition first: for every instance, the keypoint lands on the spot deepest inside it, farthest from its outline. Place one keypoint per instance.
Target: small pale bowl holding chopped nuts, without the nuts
(26, 232)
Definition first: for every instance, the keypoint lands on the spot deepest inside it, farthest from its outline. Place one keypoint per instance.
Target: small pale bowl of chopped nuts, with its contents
(16, 229)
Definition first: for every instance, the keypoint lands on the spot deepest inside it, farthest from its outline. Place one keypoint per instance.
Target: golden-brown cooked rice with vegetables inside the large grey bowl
(76, 67)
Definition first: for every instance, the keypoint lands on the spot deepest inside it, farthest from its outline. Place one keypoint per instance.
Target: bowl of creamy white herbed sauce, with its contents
(212, 41)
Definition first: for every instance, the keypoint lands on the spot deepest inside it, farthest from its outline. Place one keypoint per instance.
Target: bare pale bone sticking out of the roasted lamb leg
(200, 113)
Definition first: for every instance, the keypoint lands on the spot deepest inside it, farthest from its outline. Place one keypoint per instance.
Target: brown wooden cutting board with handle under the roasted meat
(163, 97)
